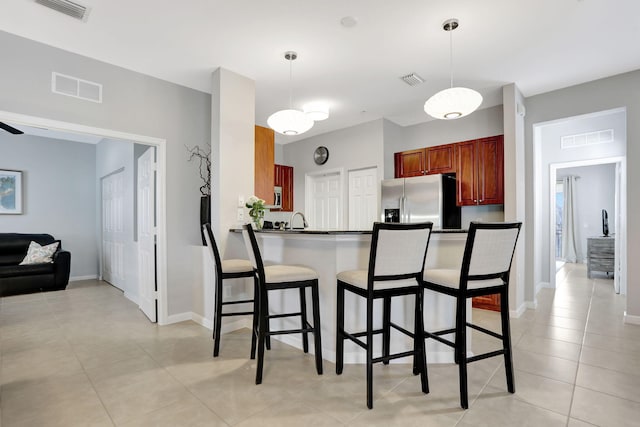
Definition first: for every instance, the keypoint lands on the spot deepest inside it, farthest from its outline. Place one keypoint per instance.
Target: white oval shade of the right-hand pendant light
(453, 103)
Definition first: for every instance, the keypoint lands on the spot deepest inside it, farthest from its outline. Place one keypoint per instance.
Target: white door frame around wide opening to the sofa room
(161, 185)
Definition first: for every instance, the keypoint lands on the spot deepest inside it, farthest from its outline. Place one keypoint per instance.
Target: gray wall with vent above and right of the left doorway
(132, 103)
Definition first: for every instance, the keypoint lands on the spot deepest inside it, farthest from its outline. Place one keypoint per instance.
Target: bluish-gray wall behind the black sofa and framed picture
(59, 197)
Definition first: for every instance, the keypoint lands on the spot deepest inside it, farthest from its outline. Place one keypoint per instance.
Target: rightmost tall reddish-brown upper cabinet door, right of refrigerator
(490, 170)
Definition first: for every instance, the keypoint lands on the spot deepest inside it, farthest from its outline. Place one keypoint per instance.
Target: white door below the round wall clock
(324, 201)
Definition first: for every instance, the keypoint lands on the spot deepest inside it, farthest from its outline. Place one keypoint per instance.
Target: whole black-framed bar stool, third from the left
(396, 265)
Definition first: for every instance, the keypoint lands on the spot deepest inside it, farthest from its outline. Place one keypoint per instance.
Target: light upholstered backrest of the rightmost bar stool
(489, 251)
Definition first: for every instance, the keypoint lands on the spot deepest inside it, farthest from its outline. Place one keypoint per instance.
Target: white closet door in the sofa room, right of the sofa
(113, 233)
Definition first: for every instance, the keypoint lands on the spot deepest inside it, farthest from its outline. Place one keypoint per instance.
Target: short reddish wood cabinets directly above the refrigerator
(425, 161)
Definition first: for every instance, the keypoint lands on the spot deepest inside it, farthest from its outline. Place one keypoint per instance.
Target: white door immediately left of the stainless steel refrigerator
(363, 198)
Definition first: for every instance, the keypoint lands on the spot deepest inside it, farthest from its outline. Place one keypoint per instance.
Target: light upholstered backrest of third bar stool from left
(398, 251)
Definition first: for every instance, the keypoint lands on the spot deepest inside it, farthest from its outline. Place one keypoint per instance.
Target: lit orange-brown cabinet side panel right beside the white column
(264, 164)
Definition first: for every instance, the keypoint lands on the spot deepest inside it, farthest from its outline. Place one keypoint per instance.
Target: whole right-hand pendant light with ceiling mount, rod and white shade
(454, 102)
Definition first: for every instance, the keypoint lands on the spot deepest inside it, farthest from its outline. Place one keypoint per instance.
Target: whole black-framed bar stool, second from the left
(279, 277)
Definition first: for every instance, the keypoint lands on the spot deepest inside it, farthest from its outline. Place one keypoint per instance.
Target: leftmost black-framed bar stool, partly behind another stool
(229, 269)
